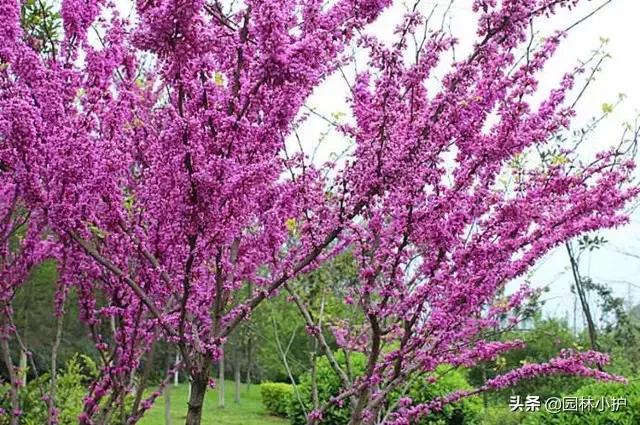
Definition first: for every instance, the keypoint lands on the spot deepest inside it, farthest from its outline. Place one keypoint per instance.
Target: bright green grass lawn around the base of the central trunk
(248, 412)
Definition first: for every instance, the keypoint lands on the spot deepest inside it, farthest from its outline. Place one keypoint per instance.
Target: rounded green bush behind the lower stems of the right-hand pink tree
(465, 412)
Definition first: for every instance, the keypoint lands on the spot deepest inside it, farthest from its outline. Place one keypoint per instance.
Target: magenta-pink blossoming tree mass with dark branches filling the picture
(152, 160)
